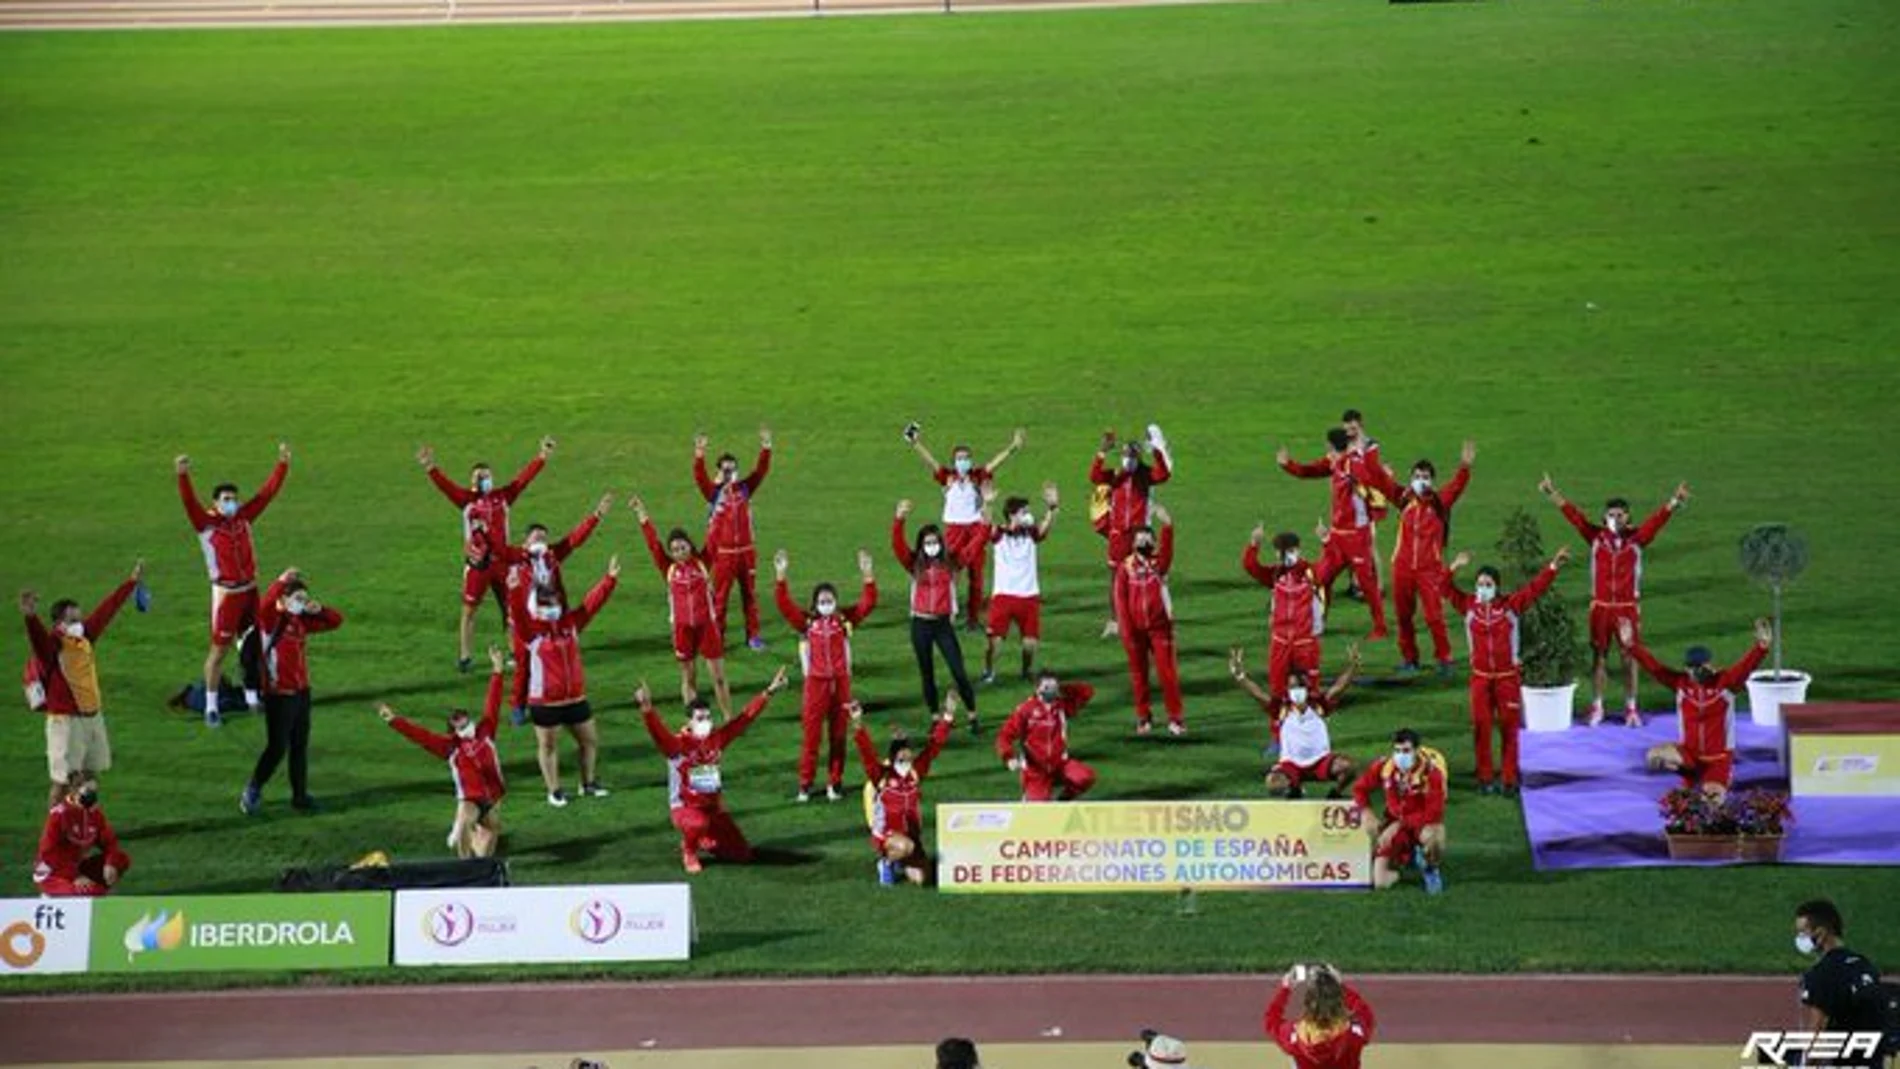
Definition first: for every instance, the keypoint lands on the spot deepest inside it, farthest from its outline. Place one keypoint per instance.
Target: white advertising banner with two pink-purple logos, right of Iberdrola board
(504, 926)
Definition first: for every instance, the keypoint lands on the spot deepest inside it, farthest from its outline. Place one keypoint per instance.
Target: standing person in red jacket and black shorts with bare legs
(558, 685)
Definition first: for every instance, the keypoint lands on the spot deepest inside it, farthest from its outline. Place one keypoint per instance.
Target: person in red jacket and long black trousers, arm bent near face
(286, 616)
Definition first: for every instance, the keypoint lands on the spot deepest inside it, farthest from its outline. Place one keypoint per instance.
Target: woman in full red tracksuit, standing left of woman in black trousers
(826, 656)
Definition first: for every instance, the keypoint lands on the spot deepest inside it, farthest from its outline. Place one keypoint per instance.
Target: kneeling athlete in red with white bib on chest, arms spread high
(696, 787)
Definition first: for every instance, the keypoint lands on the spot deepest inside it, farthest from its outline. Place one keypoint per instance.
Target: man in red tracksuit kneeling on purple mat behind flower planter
(1705, 751)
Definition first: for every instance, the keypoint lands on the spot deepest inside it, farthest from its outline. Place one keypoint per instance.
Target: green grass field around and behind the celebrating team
(1620, 242)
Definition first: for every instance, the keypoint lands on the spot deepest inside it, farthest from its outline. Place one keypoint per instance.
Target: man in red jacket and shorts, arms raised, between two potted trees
(1616, 584)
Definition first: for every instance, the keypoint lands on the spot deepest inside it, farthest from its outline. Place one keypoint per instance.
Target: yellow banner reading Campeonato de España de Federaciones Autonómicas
(1023, 848)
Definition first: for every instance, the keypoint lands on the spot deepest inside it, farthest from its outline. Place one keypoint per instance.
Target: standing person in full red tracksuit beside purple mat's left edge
(1492, 633)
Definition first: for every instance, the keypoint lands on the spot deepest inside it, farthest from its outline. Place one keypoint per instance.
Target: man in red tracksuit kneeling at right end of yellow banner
(1411, 825)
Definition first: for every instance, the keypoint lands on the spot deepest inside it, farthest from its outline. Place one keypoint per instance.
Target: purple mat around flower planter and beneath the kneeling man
(1589, 802)
